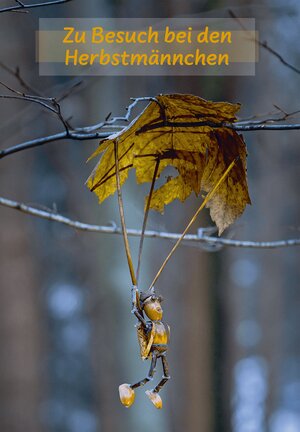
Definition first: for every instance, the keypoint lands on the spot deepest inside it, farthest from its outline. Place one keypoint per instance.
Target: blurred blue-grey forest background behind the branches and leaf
(66, 333)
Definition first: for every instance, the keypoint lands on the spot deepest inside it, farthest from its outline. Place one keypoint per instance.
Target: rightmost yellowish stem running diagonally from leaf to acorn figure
(205, 201)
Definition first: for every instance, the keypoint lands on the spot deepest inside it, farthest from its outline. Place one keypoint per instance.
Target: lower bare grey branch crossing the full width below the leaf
(113, 229)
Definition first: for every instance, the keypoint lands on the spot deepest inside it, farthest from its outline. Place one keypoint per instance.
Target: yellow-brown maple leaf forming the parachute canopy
(188, 133)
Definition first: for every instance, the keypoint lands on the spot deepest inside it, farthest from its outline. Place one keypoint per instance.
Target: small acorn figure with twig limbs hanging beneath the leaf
(153, 337)
